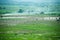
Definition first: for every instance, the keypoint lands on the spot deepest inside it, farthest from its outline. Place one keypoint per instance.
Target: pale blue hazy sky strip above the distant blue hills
(31, 0)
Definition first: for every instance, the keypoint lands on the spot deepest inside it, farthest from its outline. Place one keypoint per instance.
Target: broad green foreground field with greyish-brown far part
(30, 28)
